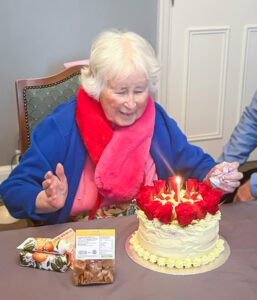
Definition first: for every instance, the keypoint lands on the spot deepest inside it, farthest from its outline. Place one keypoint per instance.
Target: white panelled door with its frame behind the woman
(207, 49)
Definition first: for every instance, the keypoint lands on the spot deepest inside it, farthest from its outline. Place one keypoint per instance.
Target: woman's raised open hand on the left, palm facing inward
(55, 192)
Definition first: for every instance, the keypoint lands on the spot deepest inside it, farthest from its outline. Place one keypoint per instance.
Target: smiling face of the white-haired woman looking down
(124, 100)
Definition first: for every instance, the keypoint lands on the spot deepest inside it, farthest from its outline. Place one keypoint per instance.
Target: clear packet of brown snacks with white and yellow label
(94, 259)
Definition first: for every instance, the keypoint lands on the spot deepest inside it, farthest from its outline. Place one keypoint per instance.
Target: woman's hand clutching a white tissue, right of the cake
(225, 176)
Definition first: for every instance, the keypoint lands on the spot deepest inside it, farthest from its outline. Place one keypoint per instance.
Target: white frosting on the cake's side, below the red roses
(175, 242)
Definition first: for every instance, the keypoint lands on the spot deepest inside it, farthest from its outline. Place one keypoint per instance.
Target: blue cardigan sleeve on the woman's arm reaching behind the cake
(173, 153)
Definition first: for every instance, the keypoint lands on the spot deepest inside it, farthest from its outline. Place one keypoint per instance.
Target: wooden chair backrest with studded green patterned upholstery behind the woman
(39, 96)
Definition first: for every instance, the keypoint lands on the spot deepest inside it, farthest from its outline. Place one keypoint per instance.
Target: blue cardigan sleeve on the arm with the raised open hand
(20, 189)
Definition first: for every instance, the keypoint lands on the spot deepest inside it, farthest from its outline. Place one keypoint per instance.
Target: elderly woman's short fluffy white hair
(119, 54)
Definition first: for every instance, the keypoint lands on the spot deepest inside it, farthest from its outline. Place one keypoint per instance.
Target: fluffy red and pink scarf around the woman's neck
(119, 155)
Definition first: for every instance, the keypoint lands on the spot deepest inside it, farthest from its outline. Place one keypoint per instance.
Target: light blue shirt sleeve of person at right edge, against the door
(244, 137)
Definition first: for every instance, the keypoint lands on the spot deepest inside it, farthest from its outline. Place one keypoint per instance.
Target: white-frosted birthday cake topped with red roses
(178, 228)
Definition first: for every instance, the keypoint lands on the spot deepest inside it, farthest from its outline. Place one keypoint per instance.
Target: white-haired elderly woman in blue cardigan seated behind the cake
(90, 156)
